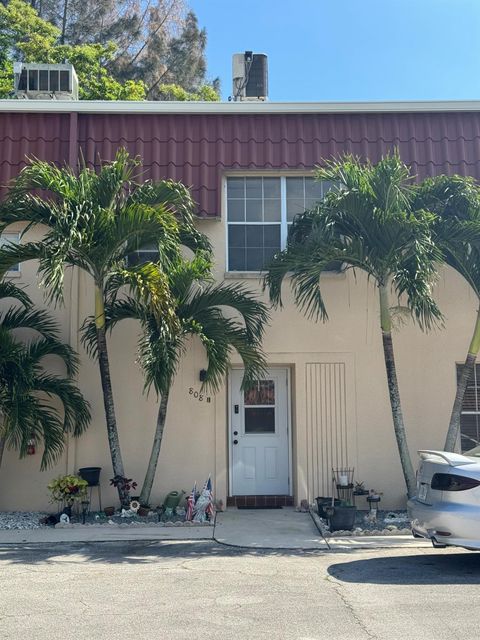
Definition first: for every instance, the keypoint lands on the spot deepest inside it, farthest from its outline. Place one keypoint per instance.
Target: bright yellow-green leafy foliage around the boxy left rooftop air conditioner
(26, 37)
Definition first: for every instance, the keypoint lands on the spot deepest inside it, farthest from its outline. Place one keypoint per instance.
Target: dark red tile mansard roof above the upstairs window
(198, 148)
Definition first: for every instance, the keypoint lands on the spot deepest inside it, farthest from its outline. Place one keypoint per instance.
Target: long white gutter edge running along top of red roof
(94, 106)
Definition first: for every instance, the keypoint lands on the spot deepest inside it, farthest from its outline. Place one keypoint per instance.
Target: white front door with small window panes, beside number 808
(259, 435)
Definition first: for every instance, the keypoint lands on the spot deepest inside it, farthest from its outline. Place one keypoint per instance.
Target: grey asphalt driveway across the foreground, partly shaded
(168, 591)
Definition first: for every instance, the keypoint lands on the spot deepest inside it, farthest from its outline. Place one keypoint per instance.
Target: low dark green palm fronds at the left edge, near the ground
(28, 410)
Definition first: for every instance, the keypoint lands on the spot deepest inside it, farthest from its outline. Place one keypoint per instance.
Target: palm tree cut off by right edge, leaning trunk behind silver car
(456, 202)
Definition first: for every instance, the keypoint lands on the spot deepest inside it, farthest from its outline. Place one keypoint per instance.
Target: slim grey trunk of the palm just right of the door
(397, 415)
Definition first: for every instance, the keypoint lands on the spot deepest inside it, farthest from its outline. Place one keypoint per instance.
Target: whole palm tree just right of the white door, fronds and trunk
(365, 222)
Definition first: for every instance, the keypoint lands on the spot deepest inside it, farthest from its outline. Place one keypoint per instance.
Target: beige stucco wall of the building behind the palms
(196, 441)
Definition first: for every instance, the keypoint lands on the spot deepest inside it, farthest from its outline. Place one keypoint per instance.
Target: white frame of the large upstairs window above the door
(284, 222)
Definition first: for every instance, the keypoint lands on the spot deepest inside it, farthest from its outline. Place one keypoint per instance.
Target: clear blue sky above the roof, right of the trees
(350, 49)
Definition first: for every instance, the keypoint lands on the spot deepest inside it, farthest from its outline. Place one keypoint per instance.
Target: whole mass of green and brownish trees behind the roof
(119, 53)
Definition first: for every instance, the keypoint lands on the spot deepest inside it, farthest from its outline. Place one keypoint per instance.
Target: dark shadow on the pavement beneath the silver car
(449, 567)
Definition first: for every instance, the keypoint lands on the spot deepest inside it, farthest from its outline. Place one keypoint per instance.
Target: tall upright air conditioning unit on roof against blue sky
(250, 76)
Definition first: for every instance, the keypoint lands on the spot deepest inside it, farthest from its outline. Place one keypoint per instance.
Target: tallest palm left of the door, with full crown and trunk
(94, 221)
